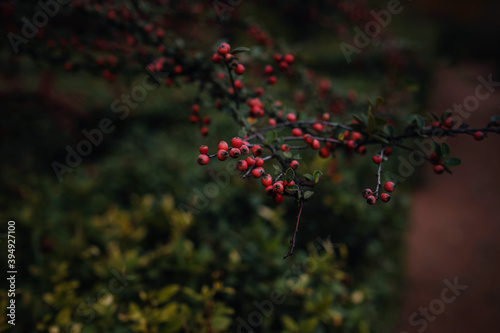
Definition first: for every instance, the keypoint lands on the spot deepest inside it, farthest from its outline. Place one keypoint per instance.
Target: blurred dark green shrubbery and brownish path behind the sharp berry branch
(136, 237)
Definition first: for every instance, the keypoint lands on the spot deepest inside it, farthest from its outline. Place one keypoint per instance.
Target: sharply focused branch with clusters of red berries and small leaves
(264, 143)
